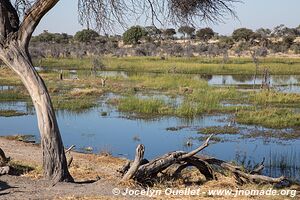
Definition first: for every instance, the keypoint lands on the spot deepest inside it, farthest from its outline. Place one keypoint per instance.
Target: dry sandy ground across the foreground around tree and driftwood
(85, 169)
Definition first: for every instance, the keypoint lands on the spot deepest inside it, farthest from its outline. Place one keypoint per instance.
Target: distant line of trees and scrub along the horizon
(151, 41)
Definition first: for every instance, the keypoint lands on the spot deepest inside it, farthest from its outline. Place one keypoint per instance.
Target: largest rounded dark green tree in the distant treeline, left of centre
(134, 34)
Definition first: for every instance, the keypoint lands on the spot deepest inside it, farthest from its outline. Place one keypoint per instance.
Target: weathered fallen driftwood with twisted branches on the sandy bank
(143, 170)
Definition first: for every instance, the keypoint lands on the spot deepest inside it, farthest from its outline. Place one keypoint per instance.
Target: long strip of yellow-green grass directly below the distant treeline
(202, 65)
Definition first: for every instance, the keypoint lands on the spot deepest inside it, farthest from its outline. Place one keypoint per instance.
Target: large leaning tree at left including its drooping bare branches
(14, 42)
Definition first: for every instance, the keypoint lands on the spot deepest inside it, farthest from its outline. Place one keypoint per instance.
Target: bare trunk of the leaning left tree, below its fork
(54, 159)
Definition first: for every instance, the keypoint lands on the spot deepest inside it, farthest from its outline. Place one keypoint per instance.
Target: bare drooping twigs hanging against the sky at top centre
(103, 14)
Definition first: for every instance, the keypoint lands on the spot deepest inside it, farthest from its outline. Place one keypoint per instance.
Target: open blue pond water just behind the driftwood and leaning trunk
(119, 134)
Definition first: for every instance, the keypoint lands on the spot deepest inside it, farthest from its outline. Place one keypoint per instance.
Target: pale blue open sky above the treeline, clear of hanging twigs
(254, 14)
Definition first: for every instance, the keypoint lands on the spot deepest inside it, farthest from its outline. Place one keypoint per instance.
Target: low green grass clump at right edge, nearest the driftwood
(270, 117)
